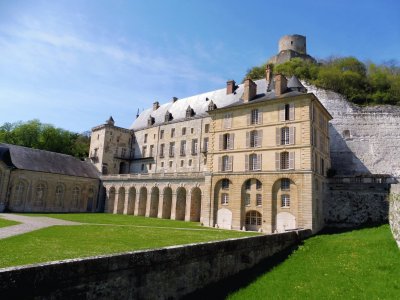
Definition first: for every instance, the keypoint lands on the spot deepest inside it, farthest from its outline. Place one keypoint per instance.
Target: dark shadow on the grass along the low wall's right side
(221, 289)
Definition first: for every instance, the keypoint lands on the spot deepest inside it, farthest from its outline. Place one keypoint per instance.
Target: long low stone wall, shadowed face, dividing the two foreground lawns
(166, 273)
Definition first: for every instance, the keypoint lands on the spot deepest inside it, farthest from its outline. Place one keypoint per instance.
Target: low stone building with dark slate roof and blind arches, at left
(41, 181)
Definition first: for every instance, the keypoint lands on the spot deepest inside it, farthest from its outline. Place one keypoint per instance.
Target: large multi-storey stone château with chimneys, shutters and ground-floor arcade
(252, 156)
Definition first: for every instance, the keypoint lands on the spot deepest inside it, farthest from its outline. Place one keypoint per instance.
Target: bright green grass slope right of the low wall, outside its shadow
(362, 264)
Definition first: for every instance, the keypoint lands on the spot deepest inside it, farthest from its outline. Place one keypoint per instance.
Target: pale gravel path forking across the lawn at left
(29, 224)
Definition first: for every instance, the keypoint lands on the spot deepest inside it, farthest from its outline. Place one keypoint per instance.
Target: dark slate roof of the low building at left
(45, 161)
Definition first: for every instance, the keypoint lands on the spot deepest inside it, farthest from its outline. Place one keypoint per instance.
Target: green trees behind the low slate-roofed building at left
(34, 134)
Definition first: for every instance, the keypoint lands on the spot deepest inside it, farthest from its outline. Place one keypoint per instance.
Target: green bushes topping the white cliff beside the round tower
(362, 83)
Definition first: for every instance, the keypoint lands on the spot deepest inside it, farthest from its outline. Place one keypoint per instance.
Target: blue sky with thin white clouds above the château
(74, 63)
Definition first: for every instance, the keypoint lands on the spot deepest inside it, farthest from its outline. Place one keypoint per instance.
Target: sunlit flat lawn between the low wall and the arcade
(62, 242)
